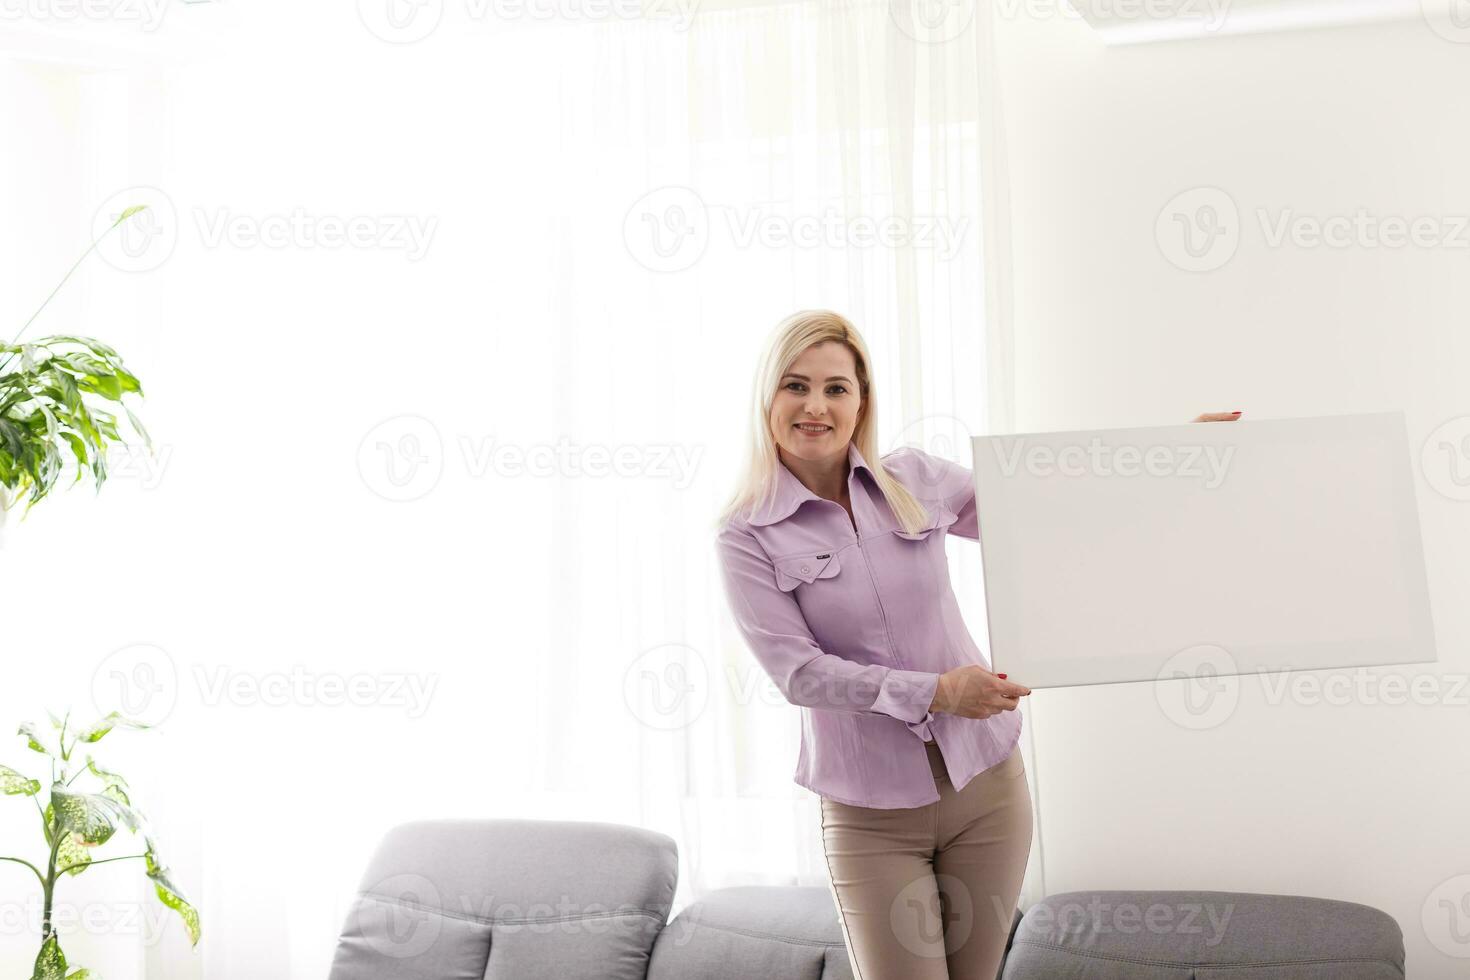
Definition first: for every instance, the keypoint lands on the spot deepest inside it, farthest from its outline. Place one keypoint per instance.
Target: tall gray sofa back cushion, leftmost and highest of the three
(509, 900)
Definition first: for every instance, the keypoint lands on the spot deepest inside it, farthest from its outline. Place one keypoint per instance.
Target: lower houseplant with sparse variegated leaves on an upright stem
(77, 821)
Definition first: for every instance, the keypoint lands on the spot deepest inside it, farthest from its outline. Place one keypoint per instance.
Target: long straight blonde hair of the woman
(792, 337)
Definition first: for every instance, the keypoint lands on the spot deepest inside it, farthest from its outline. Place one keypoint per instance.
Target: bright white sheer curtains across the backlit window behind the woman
(492, 468)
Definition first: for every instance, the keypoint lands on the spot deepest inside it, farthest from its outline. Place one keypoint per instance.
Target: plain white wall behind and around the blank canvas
(1358, 800)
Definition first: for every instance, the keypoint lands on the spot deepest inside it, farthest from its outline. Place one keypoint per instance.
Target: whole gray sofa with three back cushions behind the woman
(534, 900)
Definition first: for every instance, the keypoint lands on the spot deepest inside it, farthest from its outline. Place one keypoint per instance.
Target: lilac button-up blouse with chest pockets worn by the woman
(856, 627)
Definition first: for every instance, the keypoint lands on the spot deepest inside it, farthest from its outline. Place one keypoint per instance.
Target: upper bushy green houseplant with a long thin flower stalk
(54, 402)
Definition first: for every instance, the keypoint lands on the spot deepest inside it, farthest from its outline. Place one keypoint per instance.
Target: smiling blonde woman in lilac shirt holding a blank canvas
(837, 578)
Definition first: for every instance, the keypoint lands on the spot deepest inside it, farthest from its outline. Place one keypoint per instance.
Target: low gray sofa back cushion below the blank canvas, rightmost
(1221, 935)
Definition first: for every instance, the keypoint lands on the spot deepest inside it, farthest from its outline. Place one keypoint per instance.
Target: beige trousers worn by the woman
(928, 893)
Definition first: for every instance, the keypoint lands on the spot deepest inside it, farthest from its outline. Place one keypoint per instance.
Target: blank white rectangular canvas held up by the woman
(1287, 544)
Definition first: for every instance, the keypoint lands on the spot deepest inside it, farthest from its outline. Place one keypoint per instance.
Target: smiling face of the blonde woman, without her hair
(818, 403)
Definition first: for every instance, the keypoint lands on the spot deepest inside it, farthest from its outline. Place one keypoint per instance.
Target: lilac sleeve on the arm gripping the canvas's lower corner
(778, 635)
